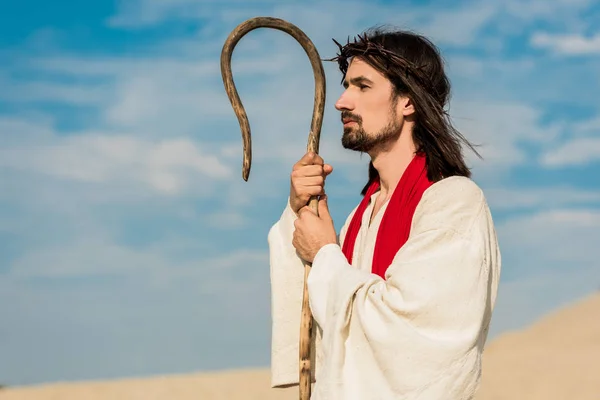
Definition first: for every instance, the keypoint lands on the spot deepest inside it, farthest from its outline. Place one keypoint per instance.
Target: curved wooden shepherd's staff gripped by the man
(306, 323)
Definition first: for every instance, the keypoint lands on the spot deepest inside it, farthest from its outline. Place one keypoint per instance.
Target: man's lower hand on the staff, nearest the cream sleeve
(312, 231)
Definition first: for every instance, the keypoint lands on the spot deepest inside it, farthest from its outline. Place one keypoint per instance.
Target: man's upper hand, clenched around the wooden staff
(307, 180)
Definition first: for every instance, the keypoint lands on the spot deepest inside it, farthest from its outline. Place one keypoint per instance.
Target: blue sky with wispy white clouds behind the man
(129, 243)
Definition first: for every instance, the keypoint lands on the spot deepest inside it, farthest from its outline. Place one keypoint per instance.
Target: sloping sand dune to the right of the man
(558, 358)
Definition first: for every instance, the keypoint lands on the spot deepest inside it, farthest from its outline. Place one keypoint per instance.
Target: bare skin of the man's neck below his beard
(391, 162)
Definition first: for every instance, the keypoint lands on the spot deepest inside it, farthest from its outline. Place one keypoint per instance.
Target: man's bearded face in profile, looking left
(369, 111)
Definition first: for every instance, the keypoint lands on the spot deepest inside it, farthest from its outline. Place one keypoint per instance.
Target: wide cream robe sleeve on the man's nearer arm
(429, 312)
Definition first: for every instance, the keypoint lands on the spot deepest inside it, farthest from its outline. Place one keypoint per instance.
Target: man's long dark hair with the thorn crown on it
(415, 67)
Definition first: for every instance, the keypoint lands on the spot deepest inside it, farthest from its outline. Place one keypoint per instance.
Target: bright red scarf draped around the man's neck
(395, 225)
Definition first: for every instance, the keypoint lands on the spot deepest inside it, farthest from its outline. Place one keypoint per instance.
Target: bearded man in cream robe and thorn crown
(403, 298)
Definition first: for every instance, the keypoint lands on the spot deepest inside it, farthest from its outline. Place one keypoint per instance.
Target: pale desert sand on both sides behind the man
(557, 358)
